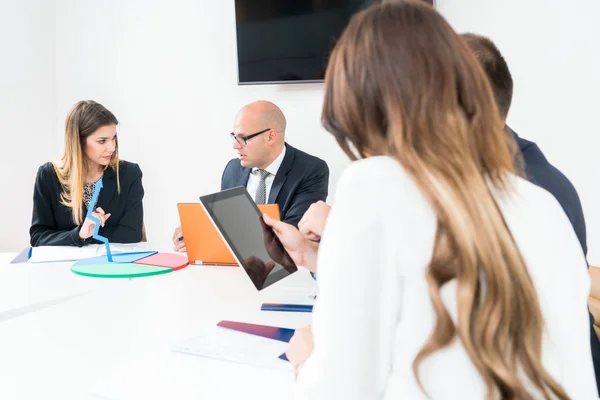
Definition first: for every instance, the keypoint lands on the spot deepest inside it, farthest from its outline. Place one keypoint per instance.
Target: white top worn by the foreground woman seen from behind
(374, 312)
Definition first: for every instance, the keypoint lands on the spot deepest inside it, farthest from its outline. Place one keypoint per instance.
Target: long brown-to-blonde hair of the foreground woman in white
(402, 83)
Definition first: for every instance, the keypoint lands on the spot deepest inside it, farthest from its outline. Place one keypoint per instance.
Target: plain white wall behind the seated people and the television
(168, 71)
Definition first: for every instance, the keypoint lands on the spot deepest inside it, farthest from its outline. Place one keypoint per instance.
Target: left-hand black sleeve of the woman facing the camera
(43, 230)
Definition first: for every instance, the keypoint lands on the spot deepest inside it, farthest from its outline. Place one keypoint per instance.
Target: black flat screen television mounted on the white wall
(289, 40)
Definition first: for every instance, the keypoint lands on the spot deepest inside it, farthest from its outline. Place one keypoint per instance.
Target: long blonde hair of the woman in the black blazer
(83, 119)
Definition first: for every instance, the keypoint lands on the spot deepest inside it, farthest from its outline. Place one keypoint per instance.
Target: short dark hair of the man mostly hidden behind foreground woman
(495, 67)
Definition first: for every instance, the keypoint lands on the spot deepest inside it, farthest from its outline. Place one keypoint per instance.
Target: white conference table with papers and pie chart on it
(72, 337)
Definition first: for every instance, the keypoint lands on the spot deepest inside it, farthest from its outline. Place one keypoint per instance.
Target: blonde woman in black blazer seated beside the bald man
(63, 190)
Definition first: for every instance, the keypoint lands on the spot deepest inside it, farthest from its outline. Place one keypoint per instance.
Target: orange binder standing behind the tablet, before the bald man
(202, 240)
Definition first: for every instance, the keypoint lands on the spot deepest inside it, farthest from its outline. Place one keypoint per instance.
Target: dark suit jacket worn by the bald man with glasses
(301, 180)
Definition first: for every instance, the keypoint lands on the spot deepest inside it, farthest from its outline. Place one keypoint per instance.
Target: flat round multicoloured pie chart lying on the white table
(130, 265)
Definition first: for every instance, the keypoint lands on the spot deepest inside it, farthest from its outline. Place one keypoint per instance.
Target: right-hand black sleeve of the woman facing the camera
(129, 228)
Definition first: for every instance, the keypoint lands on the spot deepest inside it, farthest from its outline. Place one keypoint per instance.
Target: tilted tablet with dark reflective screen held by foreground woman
(253, 244)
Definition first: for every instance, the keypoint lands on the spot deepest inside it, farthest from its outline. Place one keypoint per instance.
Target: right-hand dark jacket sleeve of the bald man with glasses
(312, 189)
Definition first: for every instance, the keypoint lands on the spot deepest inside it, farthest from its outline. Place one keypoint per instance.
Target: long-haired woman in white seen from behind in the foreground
(442, 274)
